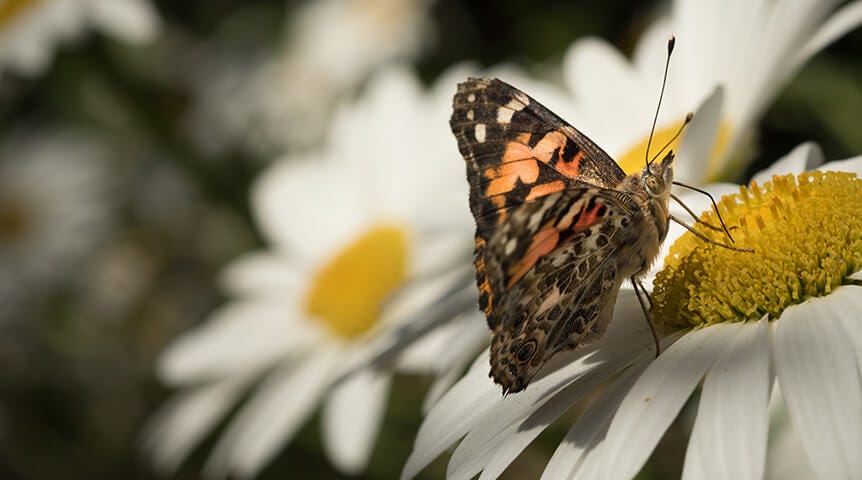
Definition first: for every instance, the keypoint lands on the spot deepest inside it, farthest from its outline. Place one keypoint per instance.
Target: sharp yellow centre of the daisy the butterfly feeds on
(807, 235)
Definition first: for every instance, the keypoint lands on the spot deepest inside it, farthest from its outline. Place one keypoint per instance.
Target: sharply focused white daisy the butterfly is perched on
(737, 322)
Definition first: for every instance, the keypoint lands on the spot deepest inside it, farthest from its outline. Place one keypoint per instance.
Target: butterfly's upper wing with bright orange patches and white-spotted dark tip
(517, 151)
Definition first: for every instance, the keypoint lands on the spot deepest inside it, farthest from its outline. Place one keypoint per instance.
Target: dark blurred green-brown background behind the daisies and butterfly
(150, 151)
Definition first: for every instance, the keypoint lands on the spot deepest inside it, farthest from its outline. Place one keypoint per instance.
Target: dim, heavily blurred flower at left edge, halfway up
(54, 210)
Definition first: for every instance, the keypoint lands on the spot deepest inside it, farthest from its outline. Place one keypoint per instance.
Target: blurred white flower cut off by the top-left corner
(30, 30)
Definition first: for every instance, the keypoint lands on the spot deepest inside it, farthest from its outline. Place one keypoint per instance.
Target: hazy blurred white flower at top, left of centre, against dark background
(286, 100)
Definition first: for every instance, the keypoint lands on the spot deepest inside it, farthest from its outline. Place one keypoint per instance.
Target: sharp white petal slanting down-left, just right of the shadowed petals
(656, 398)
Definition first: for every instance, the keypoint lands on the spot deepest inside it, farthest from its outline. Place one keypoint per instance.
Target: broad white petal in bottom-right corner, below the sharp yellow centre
(819, 377)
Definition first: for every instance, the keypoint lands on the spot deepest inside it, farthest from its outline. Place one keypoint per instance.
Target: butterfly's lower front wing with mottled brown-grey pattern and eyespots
(560, 262)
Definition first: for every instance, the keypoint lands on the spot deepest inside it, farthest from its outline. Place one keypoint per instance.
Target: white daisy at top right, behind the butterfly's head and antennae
(731, 61)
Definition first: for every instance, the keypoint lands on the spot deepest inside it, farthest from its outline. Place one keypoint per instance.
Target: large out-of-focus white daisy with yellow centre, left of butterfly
(362, 235)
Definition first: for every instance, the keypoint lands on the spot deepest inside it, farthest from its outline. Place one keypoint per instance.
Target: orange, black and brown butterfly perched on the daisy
(559, 226)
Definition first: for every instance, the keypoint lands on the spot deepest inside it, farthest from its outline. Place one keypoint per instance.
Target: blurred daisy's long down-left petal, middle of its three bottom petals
(275, 412)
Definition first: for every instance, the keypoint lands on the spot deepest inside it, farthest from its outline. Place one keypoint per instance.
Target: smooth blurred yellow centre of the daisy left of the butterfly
(348, 293)
